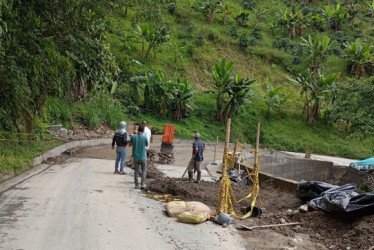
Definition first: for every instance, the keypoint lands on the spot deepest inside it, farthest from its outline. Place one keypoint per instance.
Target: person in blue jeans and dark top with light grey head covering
(120, 138)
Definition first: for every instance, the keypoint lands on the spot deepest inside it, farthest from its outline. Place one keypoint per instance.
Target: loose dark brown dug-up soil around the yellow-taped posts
(331, 231)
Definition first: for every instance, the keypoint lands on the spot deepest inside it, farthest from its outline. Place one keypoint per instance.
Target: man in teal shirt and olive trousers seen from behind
(139, 142)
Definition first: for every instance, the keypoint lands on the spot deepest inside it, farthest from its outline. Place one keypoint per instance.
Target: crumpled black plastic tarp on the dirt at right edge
(334, 198)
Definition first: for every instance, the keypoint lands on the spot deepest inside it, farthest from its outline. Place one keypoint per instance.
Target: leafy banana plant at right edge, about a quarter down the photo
(359, 55)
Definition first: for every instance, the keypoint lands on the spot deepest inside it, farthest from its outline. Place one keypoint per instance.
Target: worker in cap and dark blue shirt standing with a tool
(198, 147)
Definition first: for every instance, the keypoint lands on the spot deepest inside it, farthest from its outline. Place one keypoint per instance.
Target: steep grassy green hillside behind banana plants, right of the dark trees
(265, 48)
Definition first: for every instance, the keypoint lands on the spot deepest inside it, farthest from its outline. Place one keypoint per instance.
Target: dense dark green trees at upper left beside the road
(50, 49)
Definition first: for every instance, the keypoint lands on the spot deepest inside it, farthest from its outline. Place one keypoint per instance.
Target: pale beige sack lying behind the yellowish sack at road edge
(174, 208)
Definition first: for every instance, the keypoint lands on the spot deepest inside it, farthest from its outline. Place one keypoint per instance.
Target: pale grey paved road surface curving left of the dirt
(81, 204)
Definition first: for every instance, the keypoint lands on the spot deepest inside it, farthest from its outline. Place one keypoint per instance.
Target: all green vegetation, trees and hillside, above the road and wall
(302, 68)
